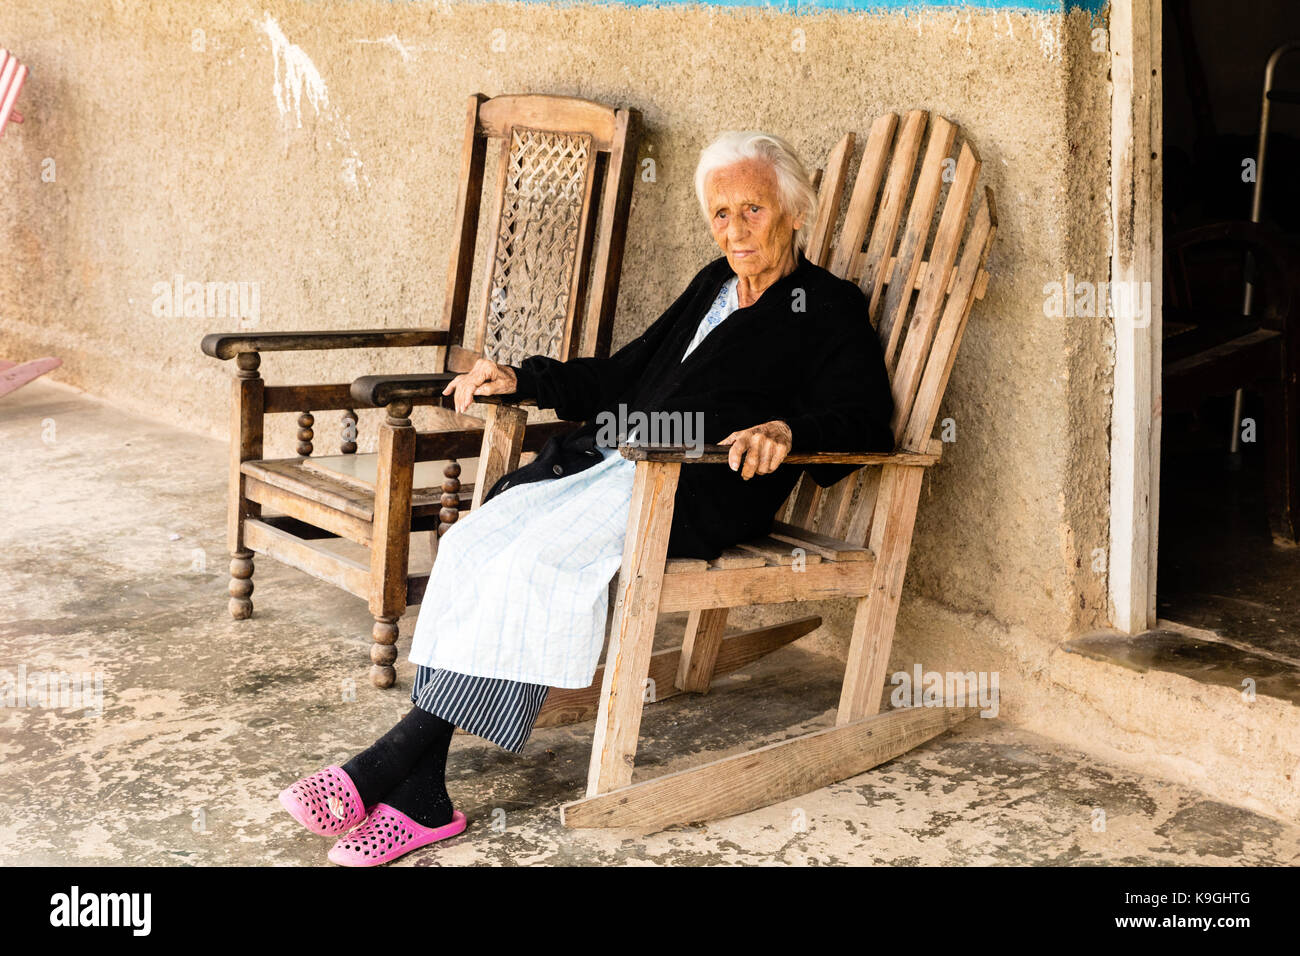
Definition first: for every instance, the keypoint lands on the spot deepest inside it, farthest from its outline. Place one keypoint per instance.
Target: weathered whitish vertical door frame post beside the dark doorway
(1136, 259)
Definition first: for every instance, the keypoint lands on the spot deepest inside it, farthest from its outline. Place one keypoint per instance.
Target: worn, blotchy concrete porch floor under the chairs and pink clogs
(116, 564)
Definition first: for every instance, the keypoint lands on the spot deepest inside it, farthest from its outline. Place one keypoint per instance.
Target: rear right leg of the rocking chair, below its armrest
(877, 613)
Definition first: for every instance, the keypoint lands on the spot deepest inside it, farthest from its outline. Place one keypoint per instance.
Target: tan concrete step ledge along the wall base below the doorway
(1189, 730)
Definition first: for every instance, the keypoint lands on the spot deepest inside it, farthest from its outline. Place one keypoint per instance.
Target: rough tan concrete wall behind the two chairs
(170, 139)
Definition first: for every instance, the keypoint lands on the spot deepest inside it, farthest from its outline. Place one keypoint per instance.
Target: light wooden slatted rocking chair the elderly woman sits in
(856, 535)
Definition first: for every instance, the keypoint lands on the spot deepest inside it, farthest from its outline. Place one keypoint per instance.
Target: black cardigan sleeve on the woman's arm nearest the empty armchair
(580, 388)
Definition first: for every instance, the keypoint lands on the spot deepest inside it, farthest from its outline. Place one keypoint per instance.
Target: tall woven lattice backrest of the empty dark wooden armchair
(557, 222)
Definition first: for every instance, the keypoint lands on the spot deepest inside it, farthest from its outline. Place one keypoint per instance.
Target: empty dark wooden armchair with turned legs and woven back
(549, 287)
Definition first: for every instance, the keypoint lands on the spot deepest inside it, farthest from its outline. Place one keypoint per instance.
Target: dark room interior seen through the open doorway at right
(1227, 560)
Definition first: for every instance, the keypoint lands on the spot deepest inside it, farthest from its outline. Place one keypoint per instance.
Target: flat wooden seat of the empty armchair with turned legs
(346, 483)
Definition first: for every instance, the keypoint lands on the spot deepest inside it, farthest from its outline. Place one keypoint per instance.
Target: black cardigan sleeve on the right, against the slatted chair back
(848, 404)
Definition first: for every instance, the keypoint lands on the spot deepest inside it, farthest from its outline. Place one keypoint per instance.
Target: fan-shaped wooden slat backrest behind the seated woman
(921, 283)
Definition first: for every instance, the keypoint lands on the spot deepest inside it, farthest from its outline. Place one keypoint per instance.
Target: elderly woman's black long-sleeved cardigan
(805, 353)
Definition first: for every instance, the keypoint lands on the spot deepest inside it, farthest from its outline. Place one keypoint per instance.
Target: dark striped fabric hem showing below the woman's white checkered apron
(496, 710)
